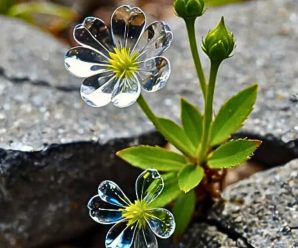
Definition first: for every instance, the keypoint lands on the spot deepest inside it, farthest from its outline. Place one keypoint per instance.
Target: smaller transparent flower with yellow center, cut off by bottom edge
(135, 223)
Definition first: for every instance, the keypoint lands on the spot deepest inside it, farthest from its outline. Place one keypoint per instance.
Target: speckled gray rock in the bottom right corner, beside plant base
(261, 211)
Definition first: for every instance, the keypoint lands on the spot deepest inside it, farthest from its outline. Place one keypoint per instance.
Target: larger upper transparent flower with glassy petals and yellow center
(116, 62)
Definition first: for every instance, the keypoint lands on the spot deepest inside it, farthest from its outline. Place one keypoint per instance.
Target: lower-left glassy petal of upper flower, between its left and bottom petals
(97, 91)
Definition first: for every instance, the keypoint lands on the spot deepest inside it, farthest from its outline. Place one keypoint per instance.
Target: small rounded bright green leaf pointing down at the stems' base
(190, 177)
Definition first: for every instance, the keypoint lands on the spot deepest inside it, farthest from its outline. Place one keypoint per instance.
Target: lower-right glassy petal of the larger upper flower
(154, 73)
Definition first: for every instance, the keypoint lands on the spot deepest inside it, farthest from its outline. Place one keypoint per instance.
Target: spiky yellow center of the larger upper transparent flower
(123, 63)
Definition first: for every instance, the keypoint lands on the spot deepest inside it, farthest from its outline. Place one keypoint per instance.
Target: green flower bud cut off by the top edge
(189, 8)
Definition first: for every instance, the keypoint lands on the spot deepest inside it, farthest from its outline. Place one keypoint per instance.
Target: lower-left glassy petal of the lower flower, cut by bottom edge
(120, 236)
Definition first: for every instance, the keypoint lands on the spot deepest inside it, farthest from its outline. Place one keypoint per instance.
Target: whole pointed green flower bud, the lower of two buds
(219, 43)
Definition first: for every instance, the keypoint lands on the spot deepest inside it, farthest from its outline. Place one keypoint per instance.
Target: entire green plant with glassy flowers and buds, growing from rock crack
(117, 64)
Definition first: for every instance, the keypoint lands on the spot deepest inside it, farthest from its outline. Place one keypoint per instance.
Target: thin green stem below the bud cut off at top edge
(190, 25)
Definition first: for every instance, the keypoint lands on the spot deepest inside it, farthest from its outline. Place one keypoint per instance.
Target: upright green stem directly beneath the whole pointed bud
(208, 112)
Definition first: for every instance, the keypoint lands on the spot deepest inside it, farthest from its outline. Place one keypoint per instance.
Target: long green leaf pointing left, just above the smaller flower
(154, 157)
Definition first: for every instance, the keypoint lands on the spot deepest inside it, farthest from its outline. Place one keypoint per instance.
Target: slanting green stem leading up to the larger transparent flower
(154, 119)
